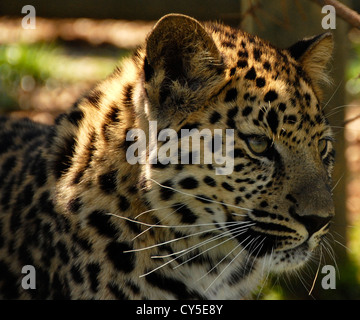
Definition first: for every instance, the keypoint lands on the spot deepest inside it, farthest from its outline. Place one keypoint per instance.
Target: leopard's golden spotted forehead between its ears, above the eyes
(266, 86)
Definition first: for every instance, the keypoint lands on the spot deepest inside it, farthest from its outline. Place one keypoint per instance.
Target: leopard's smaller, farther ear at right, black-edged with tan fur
(313, 54)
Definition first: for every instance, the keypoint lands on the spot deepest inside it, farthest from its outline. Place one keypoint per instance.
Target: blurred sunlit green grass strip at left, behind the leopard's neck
(24, 67)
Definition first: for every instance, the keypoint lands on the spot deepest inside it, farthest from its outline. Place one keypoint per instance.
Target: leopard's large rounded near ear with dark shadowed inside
(182, 65)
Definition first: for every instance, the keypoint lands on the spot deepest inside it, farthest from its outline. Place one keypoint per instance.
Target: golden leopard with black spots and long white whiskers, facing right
(90, 224)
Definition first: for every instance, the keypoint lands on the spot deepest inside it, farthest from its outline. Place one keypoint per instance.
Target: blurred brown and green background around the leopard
(77, 43)
